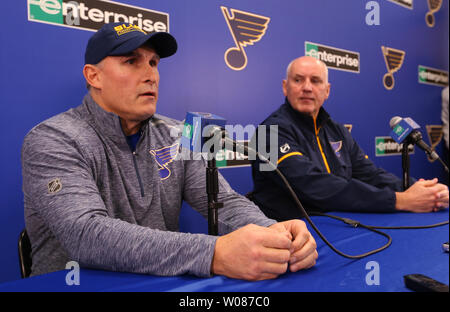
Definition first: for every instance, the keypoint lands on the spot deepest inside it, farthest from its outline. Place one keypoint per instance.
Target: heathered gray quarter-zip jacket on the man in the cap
(90, 199)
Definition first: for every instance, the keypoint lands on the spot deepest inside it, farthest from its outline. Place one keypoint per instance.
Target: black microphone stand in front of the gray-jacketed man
(212, 189)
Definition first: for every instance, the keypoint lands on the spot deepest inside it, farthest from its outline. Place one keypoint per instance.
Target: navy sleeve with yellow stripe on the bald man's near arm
(320, 190)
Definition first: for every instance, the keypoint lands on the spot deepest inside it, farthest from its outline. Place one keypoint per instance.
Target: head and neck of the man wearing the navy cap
(121, 70)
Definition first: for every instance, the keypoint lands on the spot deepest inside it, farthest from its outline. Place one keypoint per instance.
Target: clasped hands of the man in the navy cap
(257, 253)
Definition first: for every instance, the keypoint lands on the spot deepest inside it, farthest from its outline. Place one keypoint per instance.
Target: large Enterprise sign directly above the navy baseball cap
(93, 14)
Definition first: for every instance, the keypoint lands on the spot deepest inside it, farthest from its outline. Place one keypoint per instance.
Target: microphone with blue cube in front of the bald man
(404, 130)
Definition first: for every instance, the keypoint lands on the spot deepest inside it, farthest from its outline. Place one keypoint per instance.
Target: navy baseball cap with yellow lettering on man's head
(122, 38)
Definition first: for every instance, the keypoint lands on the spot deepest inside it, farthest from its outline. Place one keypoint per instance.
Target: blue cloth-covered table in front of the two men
(411, 251)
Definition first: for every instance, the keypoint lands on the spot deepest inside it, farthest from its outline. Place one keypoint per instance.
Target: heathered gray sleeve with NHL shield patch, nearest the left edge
(59, 188)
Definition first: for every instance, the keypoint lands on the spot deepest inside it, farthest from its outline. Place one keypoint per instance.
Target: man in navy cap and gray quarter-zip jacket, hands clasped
(103, 186)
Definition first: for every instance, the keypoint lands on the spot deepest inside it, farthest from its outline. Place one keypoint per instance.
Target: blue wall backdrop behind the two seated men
(40, 76)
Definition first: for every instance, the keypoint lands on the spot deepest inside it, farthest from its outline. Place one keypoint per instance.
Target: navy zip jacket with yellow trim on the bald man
(324, 165)
